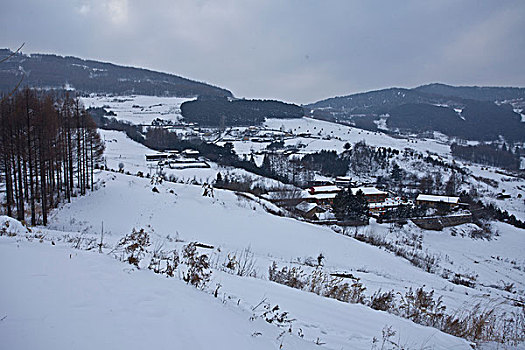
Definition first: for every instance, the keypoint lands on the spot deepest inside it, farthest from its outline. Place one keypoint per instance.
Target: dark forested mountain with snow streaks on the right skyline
(475, 113)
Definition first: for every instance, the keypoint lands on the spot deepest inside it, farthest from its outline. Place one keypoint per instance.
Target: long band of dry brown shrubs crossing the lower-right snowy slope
(475, 324)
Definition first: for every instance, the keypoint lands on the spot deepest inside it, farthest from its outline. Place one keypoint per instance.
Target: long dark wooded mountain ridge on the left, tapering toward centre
(86, 76)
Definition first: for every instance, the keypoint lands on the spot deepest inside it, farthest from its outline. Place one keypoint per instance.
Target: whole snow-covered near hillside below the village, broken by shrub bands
(180, 214)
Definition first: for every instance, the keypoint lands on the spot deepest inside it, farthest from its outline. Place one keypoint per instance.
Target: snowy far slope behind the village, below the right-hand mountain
(339, 135)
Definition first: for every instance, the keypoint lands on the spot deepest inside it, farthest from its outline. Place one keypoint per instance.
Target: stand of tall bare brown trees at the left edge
(49, 147)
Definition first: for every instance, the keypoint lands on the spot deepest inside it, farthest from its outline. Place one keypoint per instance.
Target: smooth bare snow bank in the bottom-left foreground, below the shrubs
(54, 297)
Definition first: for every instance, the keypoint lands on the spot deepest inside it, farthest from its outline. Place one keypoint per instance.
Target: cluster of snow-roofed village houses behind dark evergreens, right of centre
(316, 202)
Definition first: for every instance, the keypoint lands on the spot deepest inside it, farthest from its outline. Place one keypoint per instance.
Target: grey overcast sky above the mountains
(297, 50)
